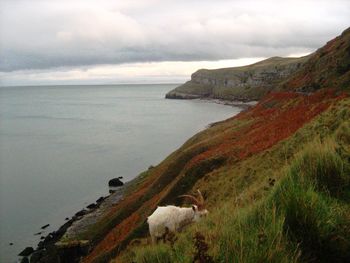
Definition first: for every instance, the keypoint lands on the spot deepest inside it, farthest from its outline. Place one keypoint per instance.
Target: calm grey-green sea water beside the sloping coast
(59, 146)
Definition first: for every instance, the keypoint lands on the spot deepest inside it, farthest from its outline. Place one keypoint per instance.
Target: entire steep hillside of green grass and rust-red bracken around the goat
(276, 179)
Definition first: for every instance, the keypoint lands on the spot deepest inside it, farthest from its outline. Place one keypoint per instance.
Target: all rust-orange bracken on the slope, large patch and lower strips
(273, 119)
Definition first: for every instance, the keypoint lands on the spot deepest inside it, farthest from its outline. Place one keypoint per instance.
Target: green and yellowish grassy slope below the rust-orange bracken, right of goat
(302, 216)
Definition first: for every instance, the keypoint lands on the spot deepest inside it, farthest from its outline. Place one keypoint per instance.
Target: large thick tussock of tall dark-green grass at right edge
(311, 197)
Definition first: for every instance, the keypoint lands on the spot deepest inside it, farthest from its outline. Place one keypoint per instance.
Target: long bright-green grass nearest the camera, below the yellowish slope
(305, 218)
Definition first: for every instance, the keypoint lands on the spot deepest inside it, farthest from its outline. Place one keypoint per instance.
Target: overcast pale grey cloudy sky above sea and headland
(134, 41)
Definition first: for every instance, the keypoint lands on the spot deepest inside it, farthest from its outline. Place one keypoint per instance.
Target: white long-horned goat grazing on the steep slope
(172, 219)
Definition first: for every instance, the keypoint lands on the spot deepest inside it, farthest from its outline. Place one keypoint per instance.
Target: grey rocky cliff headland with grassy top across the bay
(239, 83)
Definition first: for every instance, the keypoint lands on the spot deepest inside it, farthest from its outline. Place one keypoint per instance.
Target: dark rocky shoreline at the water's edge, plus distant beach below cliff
(65, 243)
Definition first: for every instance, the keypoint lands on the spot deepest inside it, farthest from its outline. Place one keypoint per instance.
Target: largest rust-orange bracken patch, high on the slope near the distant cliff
(275, 118)
